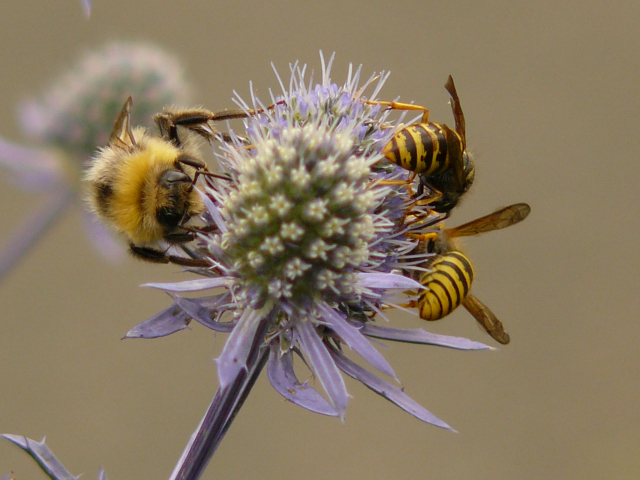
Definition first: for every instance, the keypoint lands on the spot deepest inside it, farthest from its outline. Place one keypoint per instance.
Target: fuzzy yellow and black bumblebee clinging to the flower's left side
(142, 184)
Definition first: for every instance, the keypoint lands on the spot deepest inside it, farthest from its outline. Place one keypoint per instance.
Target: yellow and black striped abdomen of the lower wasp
(448, 282)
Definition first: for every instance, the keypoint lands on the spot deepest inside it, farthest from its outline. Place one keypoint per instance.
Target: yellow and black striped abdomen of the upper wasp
(420, 148)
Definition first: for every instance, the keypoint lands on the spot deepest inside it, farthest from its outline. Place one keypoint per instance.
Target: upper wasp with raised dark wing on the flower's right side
(435, 152)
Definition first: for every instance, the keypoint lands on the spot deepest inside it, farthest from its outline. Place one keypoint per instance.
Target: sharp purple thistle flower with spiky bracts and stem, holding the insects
(307, 235)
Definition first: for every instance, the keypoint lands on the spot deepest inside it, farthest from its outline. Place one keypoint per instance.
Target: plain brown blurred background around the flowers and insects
(550, 92)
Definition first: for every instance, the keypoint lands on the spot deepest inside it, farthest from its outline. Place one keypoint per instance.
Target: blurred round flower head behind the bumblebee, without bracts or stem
(77, 112)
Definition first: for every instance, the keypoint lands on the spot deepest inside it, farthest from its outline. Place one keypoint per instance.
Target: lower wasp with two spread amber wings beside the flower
(450, 274)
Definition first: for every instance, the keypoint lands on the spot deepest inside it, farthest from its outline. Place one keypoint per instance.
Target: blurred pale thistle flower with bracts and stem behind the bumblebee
(72, 118)
